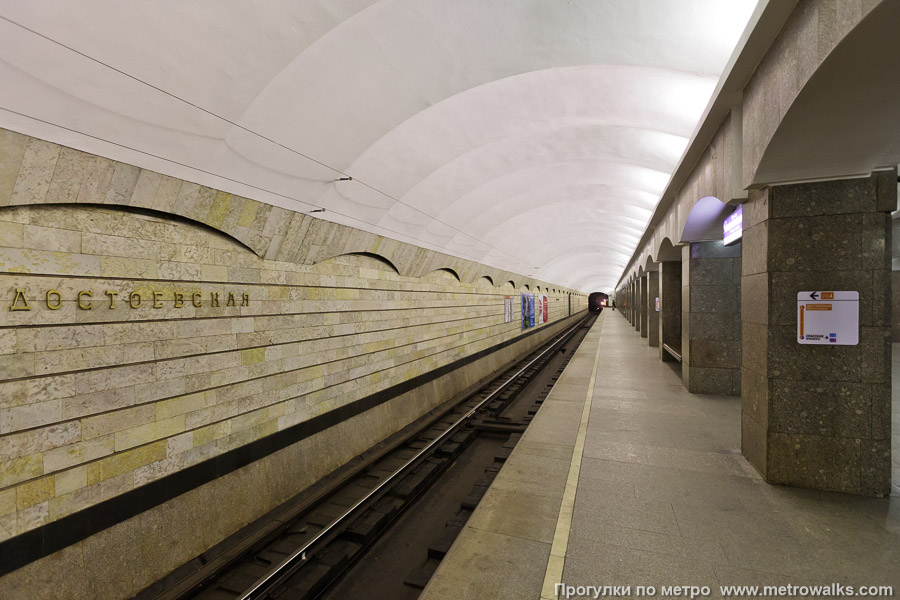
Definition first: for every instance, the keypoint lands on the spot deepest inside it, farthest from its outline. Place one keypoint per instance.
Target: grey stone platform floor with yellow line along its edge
(625, 479)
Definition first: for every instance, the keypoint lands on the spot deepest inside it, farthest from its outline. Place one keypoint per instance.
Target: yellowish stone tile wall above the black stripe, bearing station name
(134, 344)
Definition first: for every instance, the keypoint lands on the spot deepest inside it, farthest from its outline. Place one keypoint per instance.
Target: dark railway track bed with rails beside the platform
(307, 546)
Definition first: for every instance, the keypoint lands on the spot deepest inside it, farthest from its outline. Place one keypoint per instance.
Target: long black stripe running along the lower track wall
(45, 540)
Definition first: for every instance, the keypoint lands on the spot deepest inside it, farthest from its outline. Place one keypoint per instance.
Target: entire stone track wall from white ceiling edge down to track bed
(151, 327)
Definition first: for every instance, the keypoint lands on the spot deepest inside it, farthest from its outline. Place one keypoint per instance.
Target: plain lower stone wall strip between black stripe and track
(125, 558)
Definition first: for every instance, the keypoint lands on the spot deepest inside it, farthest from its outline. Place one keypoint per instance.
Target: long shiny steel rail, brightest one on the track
(292, 563)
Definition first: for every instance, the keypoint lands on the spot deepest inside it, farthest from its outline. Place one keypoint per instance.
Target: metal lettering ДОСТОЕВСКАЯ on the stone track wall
(88, 300)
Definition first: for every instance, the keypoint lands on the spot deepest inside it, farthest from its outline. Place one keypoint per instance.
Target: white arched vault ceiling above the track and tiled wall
(529, 135)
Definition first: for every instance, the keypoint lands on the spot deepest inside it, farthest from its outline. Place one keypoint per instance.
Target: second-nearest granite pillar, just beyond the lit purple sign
(711, 319)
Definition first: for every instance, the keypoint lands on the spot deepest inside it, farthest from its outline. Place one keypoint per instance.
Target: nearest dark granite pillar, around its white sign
(818, 416)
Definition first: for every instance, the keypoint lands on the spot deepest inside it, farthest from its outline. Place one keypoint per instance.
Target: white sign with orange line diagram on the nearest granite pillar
(828, 318)
